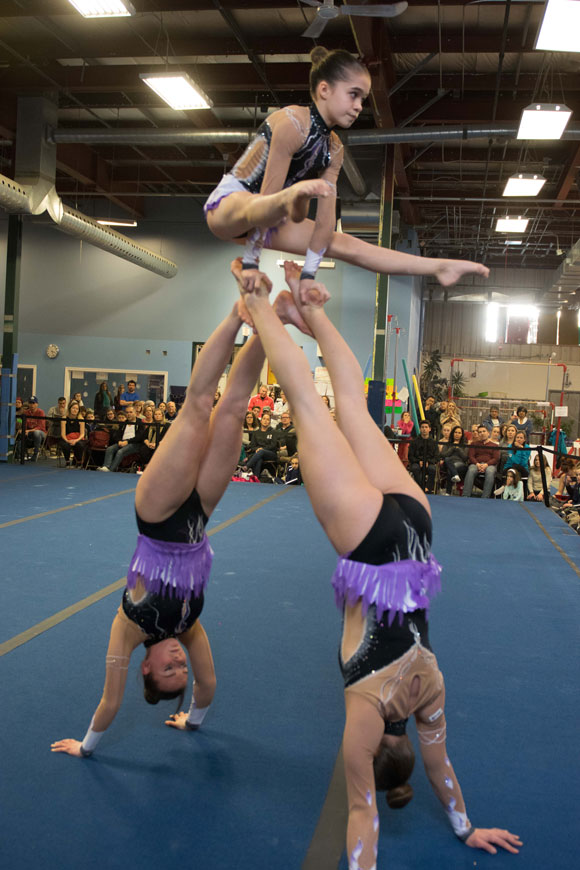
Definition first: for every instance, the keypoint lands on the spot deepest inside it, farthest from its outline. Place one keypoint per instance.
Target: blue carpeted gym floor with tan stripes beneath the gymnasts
(260, 785)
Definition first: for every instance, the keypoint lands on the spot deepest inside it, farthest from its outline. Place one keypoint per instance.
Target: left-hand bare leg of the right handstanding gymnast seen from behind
(343, 499)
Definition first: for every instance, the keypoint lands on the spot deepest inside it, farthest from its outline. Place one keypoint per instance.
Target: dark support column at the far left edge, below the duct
(10, 334)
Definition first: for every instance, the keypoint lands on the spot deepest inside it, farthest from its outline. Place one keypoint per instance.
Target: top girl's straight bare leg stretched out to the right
(295, 238)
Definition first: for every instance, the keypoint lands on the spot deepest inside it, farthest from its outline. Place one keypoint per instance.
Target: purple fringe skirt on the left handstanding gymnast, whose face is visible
(171, 568)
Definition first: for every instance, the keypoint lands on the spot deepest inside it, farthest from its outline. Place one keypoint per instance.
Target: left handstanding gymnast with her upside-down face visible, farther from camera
(175, 497)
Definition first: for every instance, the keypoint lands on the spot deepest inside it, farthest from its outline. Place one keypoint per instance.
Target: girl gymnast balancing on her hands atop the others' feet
(295, 156)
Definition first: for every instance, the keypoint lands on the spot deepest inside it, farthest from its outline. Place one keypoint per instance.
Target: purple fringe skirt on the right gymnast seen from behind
(398, 587)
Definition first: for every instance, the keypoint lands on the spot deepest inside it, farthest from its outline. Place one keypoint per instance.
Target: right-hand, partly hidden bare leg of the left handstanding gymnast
(225, 435)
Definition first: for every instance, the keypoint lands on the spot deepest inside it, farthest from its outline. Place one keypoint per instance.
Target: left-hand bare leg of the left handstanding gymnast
(172, 473)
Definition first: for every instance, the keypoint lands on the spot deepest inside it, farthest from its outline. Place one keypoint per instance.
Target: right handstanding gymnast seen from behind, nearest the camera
(379, 522)
